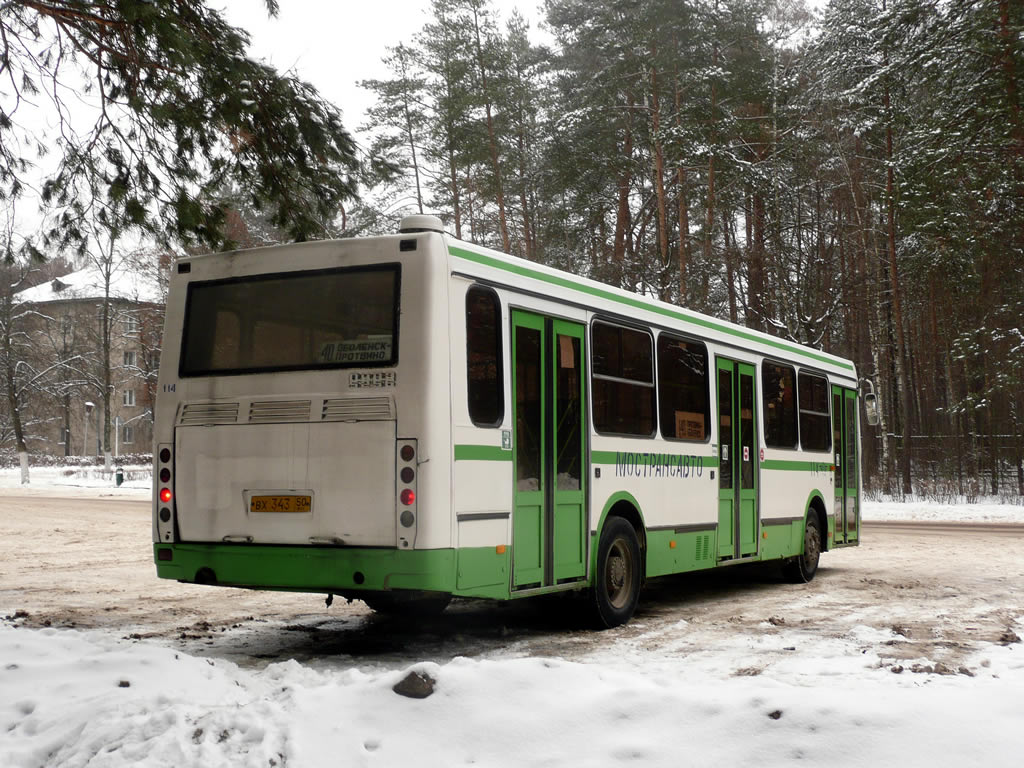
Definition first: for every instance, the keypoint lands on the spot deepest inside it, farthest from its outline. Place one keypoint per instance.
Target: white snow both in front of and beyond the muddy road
(788, 693)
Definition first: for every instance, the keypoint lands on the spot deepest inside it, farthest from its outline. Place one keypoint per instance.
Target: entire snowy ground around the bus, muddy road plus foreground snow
(707, 657)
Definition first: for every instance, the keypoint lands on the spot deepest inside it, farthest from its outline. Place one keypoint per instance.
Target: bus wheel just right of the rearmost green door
(617, 583)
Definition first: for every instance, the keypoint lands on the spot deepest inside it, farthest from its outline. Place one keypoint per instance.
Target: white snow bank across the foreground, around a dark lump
(72, 699)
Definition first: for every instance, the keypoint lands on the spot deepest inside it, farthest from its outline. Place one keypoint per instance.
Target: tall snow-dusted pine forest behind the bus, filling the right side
(854, 182)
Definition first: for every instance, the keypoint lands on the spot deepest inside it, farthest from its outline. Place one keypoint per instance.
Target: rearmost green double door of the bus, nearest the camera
(549, 526)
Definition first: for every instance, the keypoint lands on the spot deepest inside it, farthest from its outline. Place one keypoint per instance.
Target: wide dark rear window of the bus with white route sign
(292, 322)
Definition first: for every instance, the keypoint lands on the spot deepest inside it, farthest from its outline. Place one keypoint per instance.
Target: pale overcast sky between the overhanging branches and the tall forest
(335, 45)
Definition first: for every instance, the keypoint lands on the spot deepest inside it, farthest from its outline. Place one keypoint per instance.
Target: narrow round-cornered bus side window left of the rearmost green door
(484, 358)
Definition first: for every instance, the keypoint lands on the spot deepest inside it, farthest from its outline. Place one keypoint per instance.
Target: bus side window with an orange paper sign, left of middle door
(682, 389)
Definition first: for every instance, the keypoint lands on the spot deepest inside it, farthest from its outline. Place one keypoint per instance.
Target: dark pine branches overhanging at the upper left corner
(174, 109)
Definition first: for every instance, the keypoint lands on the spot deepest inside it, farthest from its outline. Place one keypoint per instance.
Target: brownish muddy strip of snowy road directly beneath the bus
(87, 564)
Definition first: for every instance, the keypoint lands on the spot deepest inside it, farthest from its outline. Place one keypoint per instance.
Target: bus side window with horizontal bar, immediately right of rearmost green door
(623, 380)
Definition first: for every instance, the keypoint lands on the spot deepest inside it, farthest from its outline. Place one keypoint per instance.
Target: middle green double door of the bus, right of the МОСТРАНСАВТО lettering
(738, 485)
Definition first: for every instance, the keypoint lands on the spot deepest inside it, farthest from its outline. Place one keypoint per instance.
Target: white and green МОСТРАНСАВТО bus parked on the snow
(404, 419)
